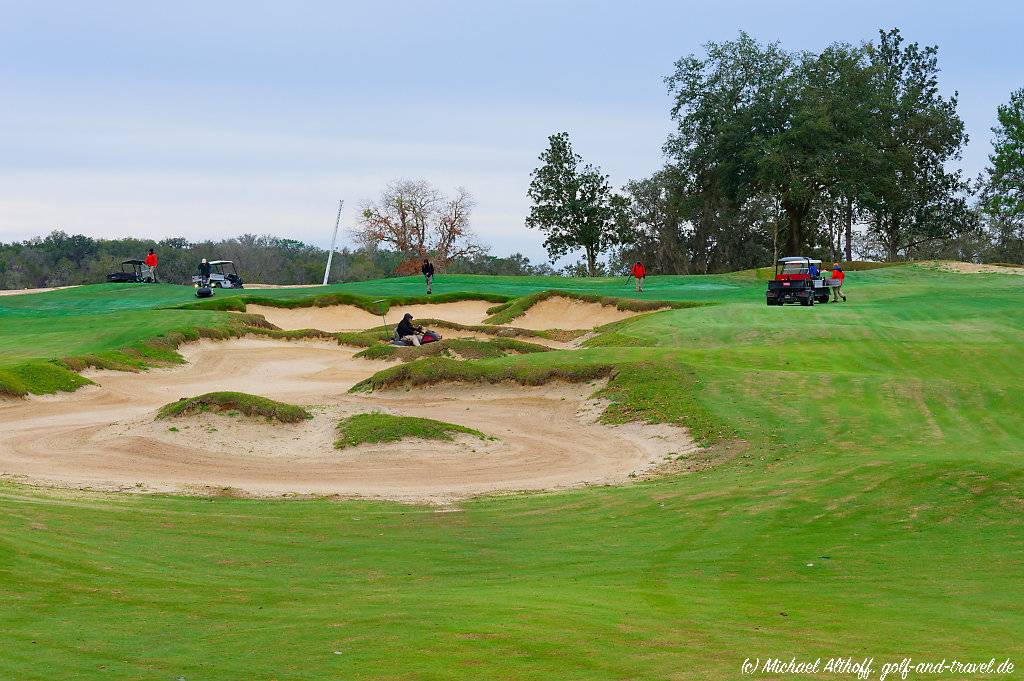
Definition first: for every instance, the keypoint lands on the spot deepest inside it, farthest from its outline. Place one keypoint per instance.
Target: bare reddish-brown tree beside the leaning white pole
(419, 221)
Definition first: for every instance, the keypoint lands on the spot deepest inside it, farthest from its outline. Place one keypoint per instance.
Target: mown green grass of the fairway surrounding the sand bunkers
(864, 496)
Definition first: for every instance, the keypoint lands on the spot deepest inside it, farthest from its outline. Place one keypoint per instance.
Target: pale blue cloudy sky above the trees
(217, 119)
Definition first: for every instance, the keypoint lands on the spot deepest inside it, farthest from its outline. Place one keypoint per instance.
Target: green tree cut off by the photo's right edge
(1002, 196)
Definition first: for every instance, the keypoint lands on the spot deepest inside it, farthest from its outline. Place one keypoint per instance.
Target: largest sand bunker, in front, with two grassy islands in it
(105, 437)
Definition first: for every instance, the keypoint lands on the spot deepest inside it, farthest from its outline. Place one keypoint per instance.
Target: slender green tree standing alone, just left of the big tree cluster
(573, 204)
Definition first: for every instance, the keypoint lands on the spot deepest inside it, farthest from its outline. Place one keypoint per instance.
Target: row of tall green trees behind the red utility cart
(848, 151)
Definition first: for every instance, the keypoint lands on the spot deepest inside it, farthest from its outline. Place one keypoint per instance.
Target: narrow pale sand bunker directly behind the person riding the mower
(351, 318)
